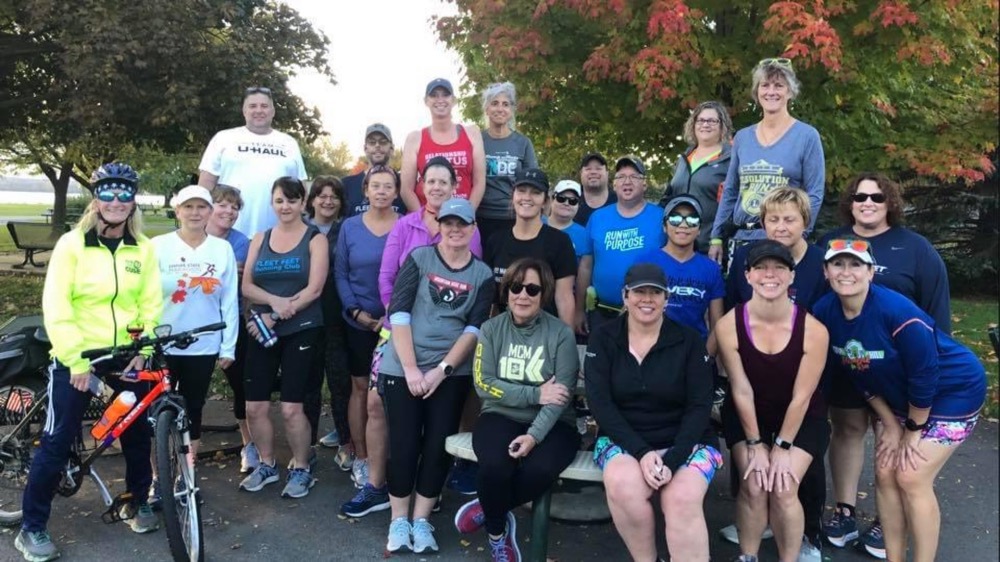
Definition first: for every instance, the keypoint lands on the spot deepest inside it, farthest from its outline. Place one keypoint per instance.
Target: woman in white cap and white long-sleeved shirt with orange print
(199, 280)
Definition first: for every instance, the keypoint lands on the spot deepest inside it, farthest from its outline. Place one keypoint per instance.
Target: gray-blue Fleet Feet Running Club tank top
(285, 274)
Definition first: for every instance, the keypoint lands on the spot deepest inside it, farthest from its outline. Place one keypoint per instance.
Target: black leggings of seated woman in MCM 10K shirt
(505, 483)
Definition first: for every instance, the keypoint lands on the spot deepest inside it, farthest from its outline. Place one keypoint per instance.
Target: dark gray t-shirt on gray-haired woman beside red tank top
(504, 157)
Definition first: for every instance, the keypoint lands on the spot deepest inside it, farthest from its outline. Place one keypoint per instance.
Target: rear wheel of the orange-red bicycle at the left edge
(17, 443)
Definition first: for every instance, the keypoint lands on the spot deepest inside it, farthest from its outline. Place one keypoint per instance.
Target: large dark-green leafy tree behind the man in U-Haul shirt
(81, 82)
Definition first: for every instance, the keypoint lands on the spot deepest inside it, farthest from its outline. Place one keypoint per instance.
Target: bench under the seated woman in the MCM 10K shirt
(582, 469)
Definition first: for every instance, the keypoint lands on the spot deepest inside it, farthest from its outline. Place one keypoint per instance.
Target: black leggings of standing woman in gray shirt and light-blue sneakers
(417, 430)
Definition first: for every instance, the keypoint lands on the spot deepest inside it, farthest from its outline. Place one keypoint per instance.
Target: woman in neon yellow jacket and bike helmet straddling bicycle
(103, 278)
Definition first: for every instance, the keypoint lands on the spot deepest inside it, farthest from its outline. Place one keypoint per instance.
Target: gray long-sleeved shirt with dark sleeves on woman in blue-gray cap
(442, 303)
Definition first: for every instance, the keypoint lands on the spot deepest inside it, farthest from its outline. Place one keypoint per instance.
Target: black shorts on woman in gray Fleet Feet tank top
(293, 354)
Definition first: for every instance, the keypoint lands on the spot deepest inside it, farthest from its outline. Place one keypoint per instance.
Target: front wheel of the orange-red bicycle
(178, 489)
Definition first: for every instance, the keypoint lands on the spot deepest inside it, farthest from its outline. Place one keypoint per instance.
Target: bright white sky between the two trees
(394, 35)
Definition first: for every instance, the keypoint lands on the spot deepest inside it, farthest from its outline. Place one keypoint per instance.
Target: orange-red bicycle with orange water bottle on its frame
(166, 411)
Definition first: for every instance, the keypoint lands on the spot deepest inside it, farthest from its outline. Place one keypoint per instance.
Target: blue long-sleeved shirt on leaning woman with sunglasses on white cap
(893, 350)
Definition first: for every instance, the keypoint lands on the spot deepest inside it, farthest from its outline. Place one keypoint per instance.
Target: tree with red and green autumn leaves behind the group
(903, 87)
